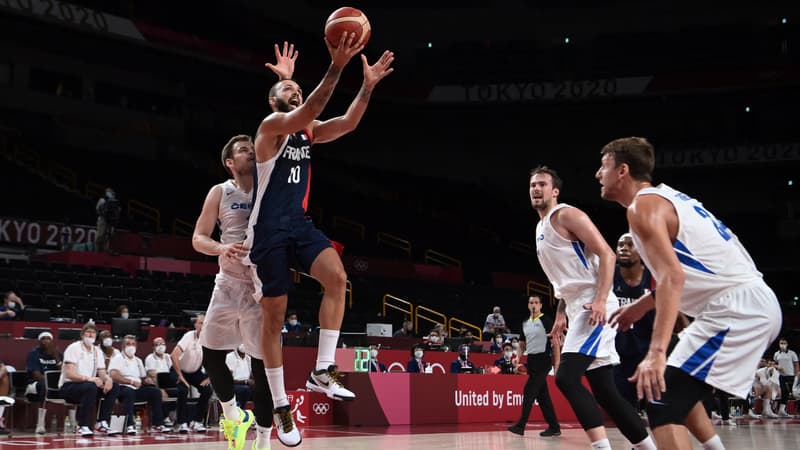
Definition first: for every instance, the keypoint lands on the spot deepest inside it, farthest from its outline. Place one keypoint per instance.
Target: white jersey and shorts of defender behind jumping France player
(233, 317)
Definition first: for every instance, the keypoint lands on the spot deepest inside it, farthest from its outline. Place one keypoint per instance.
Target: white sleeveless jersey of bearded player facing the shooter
(569, 267)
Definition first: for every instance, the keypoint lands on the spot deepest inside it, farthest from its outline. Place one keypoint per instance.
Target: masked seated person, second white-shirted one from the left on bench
(136, 386)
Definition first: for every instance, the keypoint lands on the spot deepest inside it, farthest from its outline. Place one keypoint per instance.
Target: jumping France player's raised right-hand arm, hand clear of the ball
(332, 129)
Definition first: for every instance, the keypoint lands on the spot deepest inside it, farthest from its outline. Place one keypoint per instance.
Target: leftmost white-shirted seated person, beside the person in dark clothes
(84, 379)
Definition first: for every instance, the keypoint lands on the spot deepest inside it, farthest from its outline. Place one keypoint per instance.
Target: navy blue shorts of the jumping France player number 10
(279, 244)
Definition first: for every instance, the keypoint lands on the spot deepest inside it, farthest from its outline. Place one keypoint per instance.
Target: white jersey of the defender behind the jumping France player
(234, 211)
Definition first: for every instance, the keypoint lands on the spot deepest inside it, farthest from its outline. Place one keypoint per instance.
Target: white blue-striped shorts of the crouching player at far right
(725, 342)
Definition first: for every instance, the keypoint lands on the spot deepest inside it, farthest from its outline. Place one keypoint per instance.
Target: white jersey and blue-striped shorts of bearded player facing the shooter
(573, 273)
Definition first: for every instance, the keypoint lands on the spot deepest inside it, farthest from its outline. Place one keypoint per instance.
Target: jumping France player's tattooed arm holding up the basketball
(279, 124)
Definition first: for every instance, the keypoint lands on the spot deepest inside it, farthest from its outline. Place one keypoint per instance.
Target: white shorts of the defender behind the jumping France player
(232, 317)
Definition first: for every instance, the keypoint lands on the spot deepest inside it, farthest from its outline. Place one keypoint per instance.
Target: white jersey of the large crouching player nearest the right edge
(712, 257)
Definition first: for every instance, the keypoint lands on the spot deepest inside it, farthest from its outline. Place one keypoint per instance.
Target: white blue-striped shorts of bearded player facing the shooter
(594, 341)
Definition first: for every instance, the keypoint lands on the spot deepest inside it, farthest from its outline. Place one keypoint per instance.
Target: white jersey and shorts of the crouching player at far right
(736, 315)
